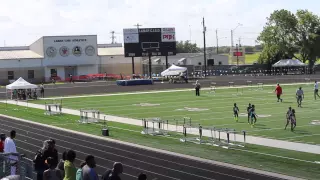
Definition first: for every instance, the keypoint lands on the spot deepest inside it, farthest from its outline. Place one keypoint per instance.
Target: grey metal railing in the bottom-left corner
(15, 166)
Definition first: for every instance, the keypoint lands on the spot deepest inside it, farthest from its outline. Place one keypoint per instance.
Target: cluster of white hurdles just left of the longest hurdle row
(159, 127)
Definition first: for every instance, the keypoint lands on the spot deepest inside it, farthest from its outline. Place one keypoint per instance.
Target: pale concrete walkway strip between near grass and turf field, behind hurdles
(315, 149)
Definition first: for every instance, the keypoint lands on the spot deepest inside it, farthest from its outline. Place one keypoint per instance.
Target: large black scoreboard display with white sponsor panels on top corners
(153, 41)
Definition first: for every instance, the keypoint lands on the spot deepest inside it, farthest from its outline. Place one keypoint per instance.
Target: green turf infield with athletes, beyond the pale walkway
(215, 109)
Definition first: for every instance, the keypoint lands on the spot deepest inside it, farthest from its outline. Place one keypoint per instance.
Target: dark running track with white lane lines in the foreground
(135, 160)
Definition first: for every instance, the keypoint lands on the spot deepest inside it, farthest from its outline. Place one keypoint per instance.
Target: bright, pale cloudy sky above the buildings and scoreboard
(24, 21)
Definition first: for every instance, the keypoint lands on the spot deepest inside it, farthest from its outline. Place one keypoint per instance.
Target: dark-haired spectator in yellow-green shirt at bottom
(69, 168)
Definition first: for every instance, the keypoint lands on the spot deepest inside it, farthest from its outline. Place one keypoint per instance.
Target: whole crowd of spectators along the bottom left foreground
(47, 165)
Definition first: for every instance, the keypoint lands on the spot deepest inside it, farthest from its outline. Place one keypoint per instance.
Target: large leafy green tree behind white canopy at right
(286, 34)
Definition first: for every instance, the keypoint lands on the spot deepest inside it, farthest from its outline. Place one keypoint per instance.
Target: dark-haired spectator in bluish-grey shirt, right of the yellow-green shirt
(88, 171)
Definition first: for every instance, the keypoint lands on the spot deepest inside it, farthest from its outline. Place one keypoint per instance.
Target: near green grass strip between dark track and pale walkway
(243, 156)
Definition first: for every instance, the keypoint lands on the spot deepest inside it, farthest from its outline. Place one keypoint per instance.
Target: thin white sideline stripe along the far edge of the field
(164, 91)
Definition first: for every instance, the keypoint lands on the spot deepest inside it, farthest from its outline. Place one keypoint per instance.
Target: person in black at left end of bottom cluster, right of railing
(39, 161)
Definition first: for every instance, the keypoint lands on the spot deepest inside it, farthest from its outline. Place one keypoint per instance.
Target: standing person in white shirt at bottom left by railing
(10, 147)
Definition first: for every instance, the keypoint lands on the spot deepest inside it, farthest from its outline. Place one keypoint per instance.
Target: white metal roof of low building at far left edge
(19, 54)
